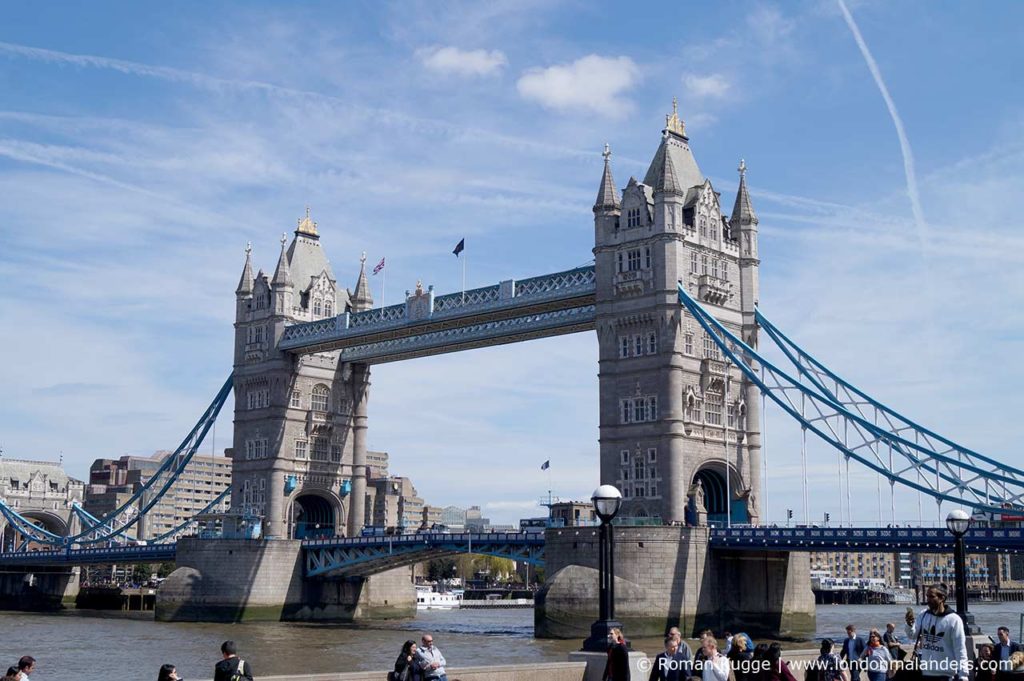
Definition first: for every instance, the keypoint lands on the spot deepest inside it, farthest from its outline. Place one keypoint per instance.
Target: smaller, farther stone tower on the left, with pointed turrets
(300, 451)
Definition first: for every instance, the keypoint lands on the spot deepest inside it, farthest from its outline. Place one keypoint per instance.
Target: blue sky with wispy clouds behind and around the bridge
(142, 147)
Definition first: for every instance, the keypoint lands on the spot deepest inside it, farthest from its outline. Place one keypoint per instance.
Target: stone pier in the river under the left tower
(248, 581)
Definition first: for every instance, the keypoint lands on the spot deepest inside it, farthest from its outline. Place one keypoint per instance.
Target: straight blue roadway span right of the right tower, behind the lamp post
(865, 539)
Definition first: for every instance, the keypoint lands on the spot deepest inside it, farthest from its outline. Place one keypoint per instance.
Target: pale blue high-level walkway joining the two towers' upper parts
(425, 325)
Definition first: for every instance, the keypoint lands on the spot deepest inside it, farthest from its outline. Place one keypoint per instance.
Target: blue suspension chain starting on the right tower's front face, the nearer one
(944, 478)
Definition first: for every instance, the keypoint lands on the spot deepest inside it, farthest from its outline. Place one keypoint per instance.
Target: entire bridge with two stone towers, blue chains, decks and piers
(673, 300)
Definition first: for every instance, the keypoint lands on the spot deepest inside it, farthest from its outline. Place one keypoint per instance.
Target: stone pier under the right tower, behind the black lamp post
(669, 576)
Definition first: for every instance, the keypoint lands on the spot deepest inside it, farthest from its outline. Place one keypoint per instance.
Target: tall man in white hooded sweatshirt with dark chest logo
(940, 642)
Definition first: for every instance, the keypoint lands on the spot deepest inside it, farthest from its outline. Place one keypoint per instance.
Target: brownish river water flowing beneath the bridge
(77, 645)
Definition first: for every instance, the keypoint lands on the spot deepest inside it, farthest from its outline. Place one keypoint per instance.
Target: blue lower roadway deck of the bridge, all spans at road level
(371, 555)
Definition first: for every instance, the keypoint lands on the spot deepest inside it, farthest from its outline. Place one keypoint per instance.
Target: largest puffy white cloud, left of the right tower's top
(591, 83)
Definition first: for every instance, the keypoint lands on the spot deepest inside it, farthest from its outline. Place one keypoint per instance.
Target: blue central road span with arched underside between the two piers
(368, 556)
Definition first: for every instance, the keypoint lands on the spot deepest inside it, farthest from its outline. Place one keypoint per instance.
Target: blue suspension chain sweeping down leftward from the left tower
(129, 515)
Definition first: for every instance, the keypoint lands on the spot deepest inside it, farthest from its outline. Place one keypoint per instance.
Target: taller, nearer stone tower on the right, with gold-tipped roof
(674, 415)
